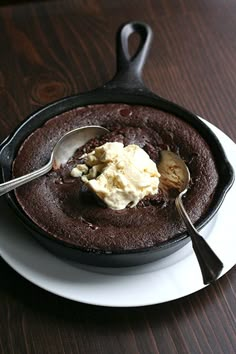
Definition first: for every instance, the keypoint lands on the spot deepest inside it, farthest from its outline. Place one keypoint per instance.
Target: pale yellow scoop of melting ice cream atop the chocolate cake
(120, 176)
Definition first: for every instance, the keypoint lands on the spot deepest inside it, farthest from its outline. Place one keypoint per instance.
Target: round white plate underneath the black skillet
(168, 279)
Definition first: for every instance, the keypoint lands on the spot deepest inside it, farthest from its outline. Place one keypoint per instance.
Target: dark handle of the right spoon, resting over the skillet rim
(211, 266)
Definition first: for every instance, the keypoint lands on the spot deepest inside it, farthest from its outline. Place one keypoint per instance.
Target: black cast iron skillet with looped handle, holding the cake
(126, 87)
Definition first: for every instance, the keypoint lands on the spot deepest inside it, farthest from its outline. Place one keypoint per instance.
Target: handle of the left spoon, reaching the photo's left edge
(17, 182)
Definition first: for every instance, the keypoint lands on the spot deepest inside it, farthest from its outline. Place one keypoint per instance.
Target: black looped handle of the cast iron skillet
(129, 69)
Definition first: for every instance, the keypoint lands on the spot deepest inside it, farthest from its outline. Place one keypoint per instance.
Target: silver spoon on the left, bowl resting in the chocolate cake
(63, 150)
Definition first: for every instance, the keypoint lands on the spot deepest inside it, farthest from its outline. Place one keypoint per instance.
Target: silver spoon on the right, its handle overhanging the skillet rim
(176, 177)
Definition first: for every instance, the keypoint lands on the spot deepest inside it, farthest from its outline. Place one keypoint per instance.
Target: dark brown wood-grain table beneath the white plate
(52, 49)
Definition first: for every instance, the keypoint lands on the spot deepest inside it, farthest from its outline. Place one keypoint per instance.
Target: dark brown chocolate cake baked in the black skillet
(62, 205)
